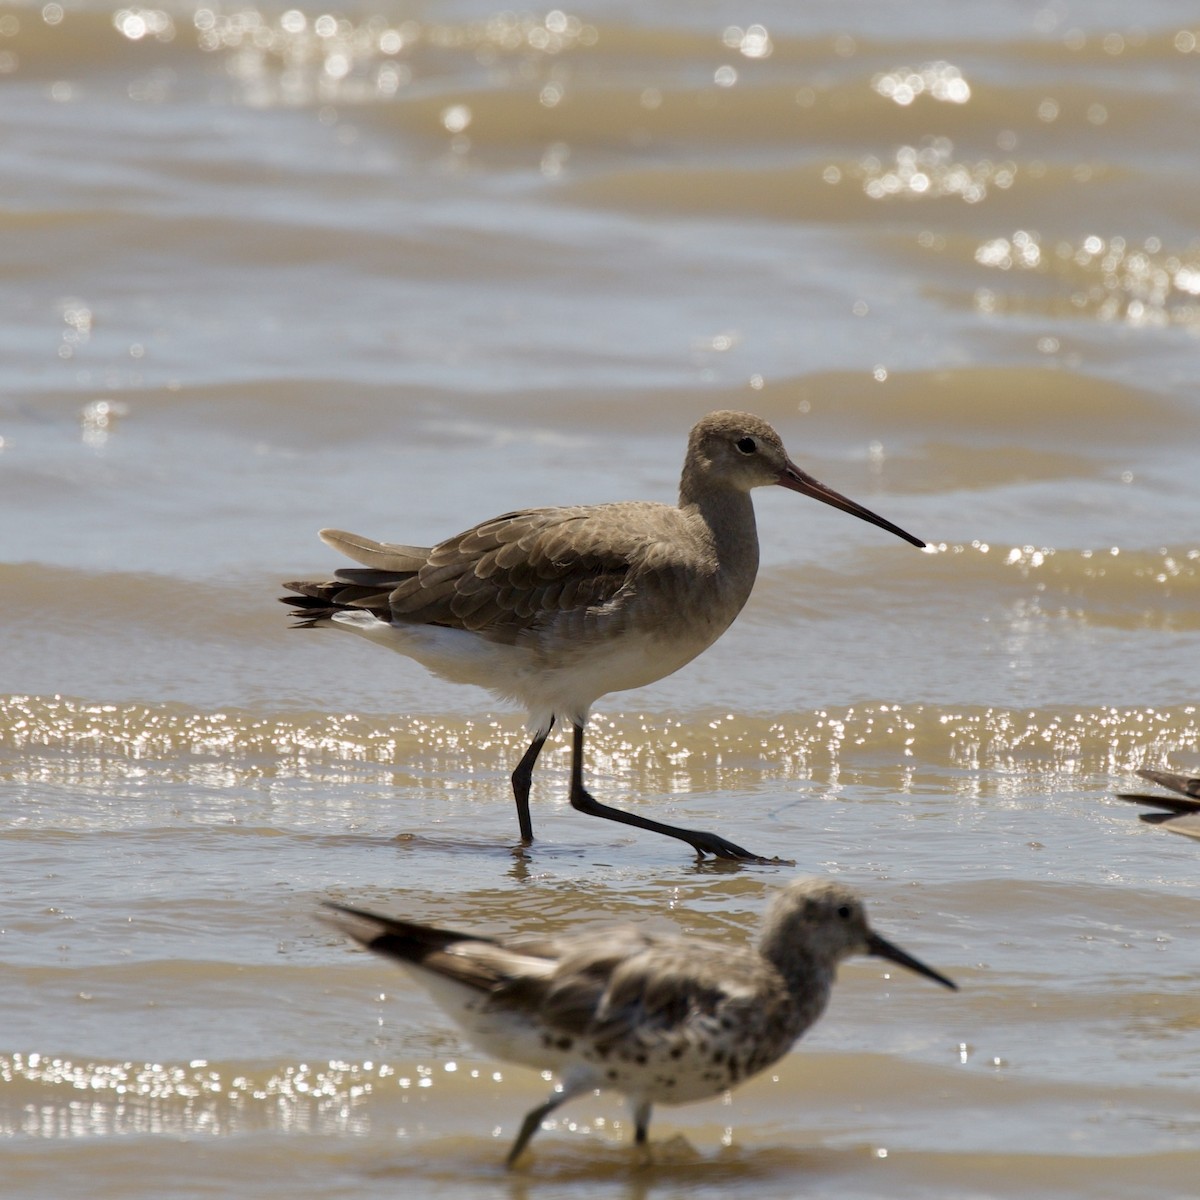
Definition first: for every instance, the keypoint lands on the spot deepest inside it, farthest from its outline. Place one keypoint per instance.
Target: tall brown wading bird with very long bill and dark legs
(556, 608)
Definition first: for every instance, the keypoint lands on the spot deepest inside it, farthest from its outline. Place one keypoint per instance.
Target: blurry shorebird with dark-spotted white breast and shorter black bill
(663, 1019)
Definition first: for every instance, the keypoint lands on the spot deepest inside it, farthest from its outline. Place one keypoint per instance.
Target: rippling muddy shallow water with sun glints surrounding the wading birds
(404, 268)
